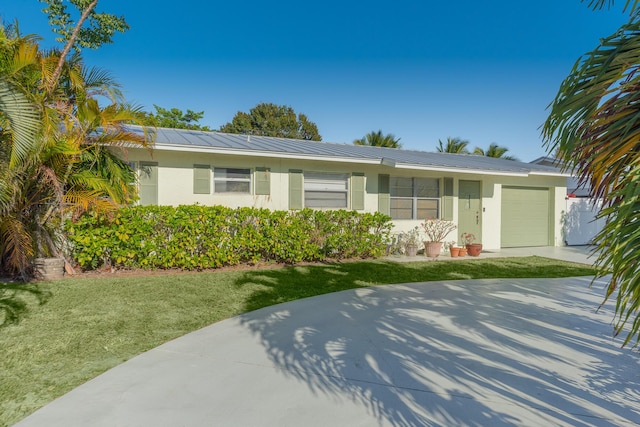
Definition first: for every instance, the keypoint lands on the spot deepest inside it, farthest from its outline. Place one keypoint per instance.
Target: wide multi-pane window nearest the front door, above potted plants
(414, 198)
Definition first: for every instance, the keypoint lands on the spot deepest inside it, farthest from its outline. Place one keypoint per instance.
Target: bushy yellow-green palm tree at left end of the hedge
(54, 156)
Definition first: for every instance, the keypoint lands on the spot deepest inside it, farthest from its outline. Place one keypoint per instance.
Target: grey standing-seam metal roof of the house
(264, 146)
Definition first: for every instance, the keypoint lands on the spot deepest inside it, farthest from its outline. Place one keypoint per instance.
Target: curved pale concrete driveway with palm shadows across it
(477, 353)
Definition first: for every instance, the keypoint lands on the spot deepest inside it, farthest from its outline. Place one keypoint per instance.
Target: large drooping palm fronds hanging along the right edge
(594, 124)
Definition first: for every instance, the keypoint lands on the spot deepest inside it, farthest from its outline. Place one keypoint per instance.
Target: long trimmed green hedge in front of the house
(201, 237)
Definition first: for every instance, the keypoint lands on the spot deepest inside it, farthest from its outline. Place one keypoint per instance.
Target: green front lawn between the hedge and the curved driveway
(72, 330)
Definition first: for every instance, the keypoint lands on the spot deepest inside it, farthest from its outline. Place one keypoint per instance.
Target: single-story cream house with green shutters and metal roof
(504, 203)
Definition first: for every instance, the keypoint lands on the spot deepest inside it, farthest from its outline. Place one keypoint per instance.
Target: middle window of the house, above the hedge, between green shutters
(325, 190)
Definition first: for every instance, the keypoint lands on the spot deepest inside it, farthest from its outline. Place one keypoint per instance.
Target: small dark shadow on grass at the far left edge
(15, 299)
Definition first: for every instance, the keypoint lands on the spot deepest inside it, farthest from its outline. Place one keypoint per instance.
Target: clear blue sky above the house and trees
(422, 70)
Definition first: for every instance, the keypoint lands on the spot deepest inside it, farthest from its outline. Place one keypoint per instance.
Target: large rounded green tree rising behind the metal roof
(268, 119)
